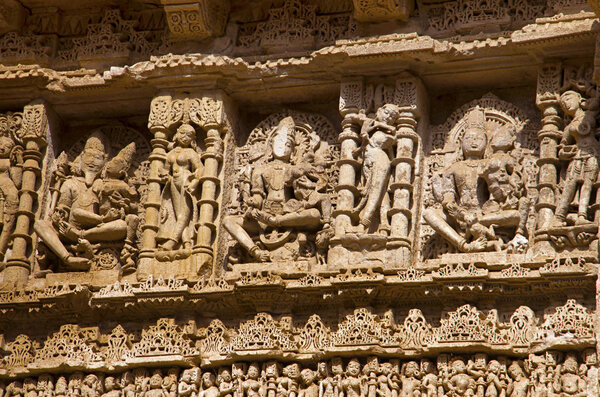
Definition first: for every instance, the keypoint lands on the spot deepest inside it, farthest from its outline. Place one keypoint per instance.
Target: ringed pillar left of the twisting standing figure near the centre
(351, 98)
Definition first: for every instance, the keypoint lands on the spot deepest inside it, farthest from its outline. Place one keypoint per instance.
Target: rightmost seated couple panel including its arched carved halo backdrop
(480, 181)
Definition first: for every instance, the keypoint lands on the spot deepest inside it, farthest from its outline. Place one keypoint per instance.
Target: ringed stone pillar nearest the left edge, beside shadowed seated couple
(34, 130)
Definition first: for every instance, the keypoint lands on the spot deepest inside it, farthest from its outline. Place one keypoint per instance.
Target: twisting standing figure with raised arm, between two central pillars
(378, 138)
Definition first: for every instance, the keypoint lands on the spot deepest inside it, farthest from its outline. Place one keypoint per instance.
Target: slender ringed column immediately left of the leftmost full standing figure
(158, 123)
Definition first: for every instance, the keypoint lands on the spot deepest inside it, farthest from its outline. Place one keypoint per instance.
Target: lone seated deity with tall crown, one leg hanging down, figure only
(283, 196)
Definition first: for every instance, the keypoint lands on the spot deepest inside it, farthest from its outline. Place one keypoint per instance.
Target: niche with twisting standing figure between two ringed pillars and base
(379, 148)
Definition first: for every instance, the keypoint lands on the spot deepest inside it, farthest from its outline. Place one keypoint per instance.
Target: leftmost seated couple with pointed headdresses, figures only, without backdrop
(95, 206)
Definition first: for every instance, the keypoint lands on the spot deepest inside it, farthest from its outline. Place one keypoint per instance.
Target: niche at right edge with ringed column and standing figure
(575, 203)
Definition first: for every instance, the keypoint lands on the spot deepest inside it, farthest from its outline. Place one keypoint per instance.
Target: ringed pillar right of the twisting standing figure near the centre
(408, 96)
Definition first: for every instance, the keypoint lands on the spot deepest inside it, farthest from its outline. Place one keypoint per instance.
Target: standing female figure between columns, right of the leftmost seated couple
(181, 178)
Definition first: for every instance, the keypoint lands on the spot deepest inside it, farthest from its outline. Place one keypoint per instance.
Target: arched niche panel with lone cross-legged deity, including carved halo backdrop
(285, 192)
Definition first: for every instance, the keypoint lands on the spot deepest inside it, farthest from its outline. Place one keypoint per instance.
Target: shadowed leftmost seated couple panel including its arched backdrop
(94, 211)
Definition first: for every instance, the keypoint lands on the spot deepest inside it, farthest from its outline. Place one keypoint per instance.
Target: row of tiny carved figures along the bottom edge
(553, 373)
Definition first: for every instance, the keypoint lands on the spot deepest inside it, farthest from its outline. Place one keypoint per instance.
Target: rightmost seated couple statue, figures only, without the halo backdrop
(468, 218)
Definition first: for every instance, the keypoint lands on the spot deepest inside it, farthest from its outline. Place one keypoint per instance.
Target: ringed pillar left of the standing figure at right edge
(549, 80)
